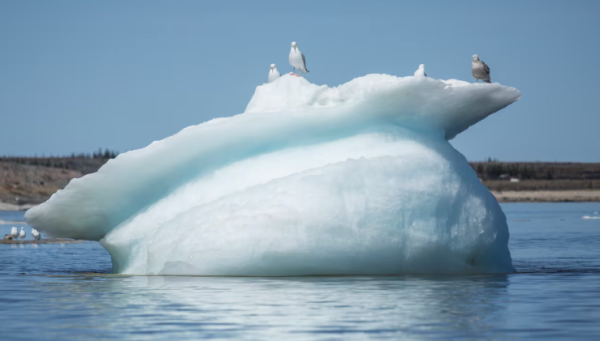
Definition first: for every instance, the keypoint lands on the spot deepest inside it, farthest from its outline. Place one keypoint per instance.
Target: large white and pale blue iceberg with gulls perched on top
(358, 179)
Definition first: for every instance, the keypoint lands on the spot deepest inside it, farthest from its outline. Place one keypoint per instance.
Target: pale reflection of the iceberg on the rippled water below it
(308, 307)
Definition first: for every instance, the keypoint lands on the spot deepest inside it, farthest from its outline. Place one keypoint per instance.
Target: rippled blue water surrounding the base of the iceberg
(54, 292)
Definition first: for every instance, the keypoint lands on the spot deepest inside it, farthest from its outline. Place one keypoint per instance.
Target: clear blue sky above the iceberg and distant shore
(78, 75)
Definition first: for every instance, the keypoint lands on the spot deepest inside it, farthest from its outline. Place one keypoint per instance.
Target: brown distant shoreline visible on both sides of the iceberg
(29, 181)
